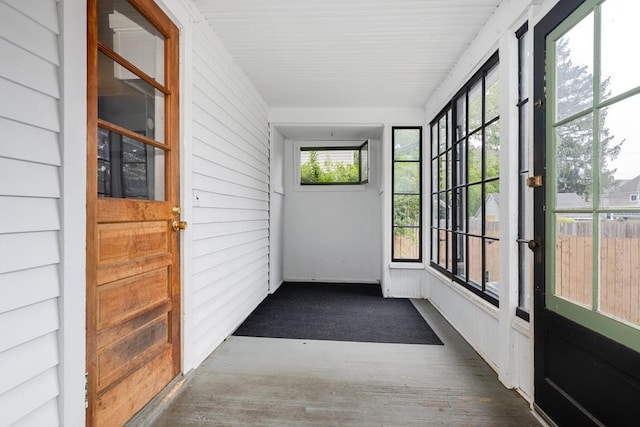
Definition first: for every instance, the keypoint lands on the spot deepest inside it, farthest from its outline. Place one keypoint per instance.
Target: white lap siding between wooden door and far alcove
(230, 222)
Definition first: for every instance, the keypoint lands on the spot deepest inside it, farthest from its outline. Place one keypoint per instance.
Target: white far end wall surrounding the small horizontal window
(332, 233)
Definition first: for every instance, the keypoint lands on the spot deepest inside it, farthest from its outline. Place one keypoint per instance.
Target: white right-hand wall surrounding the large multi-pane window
(505, 341)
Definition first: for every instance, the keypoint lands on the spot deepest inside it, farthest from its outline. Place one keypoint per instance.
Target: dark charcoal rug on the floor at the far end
(337, 312)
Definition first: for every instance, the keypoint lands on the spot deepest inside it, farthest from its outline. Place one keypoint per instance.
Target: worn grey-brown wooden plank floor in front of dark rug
(277, 382)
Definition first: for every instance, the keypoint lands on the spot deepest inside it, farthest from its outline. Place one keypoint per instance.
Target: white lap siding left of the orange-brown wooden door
(29, 212)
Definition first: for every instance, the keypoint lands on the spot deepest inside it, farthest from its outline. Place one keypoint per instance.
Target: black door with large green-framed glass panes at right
(587, 293)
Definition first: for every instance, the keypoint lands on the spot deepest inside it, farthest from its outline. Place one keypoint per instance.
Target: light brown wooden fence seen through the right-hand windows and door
(619, 258)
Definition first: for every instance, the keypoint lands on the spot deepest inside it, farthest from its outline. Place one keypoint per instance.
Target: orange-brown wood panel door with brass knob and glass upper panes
(133, 260)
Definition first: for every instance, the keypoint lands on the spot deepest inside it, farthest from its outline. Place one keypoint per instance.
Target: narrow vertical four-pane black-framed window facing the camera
(407, 194)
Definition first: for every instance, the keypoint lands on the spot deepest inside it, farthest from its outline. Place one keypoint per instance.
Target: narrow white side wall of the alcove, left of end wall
(276, 213)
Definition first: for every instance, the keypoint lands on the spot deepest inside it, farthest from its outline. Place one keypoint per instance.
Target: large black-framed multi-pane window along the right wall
(465, 184)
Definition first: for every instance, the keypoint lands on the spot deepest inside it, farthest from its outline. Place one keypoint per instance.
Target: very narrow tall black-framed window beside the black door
(525, 197)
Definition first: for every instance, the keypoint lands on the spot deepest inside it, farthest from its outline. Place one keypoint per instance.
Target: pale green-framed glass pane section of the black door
(593, 229)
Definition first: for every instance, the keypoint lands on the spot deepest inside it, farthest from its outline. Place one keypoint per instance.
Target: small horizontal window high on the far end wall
(334, 165)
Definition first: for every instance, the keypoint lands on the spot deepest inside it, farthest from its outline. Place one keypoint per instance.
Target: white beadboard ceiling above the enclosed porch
(347, 53)
